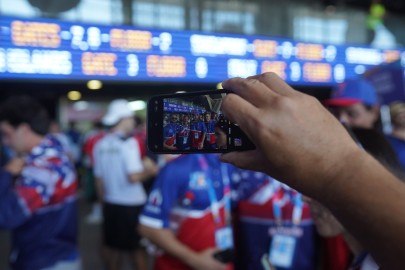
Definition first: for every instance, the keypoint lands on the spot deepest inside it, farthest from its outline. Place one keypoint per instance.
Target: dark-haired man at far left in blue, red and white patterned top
(38, 191)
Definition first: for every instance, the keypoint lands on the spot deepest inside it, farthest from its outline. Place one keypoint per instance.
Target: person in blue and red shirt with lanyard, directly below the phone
(188, 211)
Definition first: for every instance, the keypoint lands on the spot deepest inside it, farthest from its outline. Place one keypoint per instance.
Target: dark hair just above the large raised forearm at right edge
(375, 143)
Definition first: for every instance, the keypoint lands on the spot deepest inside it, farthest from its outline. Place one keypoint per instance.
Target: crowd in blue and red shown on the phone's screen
(187, 131)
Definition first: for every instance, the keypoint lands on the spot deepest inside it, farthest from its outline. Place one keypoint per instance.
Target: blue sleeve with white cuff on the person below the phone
(169, 187)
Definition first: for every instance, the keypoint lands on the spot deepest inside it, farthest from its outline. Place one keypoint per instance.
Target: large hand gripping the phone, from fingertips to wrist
(298, 141)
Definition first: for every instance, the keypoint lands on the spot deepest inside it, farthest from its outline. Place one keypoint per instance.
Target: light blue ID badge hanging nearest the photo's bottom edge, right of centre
(282, 250)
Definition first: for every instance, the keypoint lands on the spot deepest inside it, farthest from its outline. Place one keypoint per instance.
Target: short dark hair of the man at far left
(17, 110)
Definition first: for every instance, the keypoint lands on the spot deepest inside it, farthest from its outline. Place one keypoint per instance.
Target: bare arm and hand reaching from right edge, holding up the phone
(300, 143)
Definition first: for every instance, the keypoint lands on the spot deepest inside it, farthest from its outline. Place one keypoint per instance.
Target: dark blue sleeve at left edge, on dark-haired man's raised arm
(12, 213)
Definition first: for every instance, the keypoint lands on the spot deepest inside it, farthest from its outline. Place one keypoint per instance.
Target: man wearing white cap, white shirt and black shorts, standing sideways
(119, 173)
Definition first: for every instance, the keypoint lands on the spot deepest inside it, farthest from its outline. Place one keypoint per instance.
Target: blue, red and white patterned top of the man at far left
(41, 208)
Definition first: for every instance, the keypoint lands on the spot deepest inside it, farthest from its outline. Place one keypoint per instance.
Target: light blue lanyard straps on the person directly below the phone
(212, 194)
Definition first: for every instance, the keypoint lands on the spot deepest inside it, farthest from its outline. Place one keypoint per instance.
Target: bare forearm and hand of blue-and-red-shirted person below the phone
(166, 240)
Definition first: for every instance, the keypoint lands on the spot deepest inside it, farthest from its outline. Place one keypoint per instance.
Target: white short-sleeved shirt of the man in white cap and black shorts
(114, 159)
